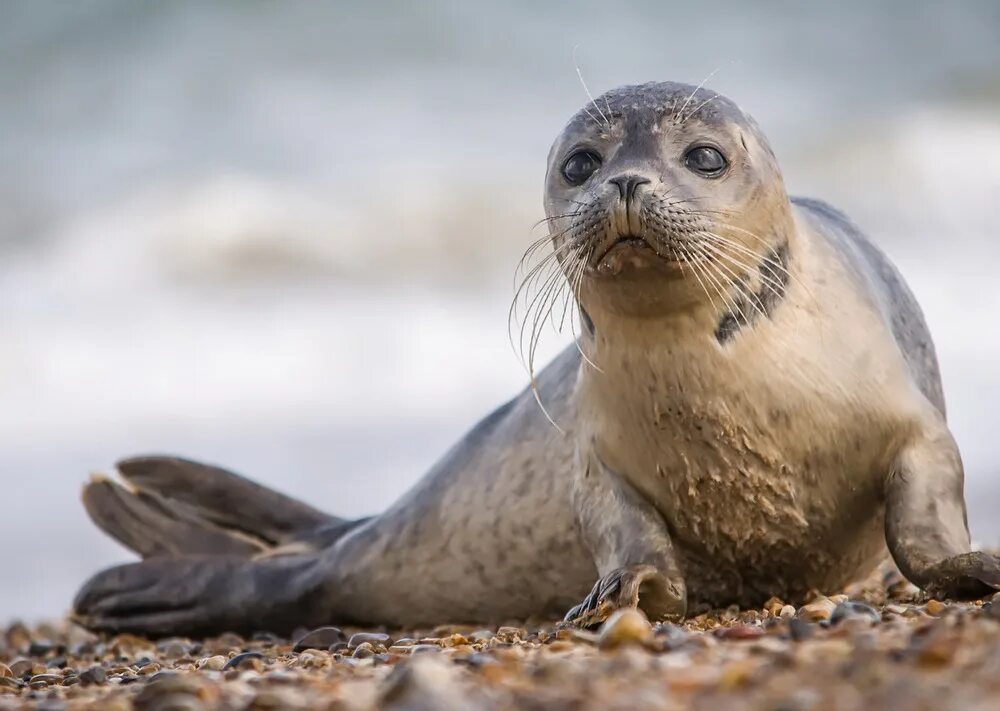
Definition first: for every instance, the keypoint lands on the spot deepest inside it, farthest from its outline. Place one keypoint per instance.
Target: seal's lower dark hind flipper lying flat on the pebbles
(198, 596)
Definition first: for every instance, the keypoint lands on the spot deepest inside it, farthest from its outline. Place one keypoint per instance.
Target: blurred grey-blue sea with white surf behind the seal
(282, 236)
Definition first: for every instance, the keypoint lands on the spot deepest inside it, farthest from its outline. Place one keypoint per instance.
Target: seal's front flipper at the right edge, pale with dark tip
(925, 522)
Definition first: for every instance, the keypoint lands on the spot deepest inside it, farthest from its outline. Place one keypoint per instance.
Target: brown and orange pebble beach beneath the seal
(758, 658)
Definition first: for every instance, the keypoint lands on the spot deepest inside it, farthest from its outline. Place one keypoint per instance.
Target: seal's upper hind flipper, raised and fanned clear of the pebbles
(170, 506)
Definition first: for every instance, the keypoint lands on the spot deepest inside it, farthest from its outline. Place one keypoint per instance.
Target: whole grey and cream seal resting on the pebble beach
(752, 408)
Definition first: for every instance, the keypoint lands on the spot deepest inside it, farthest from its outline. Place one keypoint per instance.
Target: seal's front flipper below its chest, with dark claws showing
(632, 550)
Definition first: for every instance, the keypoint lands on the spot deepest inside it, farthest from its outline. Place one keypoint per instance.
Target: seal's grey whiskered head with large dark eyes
(662, 194)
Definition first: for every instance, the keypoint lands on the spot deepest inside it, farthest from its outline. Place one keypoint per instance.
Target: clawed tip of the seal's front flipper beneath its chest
(641, 586)
